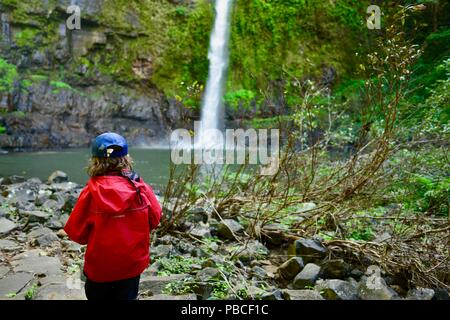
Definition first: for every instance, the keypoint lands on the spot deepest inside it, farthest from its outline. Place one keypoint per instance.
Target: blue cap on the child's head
(109, 145)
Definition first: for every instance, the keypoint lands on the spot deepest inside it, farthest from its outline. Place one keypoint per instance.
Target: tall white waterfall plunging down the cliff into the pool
(218, 64)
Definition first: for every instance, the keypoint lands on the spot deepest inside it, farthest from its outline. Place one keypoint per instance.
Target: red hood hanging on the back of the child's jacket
(115, 194)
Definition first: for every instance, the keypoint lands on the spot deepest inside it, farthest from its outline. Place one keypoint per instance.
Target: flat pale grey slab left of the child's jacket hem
(35, 261)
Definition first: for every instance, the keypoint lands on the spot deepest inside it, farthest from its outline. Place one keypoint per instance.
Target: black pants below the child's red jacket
(127, 289)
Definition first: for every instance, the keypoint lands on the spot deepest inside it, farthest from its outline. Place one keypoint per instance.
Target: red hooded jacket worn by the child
(115, 225)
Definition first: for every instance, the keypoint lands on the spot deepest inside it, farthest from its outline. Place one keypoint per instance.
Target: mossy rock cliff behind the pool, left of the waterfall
(74, 84)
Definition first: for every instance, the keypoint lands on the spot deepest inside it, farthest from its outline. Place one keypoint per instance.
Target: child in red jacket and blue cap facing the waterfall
(114, 216)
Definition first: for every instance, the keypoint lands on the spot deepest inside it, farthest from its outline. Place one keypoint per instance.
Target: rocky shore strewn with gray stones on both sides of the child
(203, 261)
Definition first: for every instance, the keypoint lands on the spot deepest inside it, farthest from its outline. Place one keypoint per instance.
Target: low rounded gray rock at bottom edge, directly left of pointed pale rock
(336, 289)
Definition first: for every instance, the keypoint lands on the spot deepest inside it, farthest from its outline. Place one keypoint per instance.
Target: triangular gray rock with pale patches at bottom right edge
(375, 288)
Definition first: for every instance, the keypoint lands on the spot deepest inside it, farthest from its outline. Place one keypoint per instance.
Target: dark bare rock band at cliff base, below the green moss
(70, 118)
